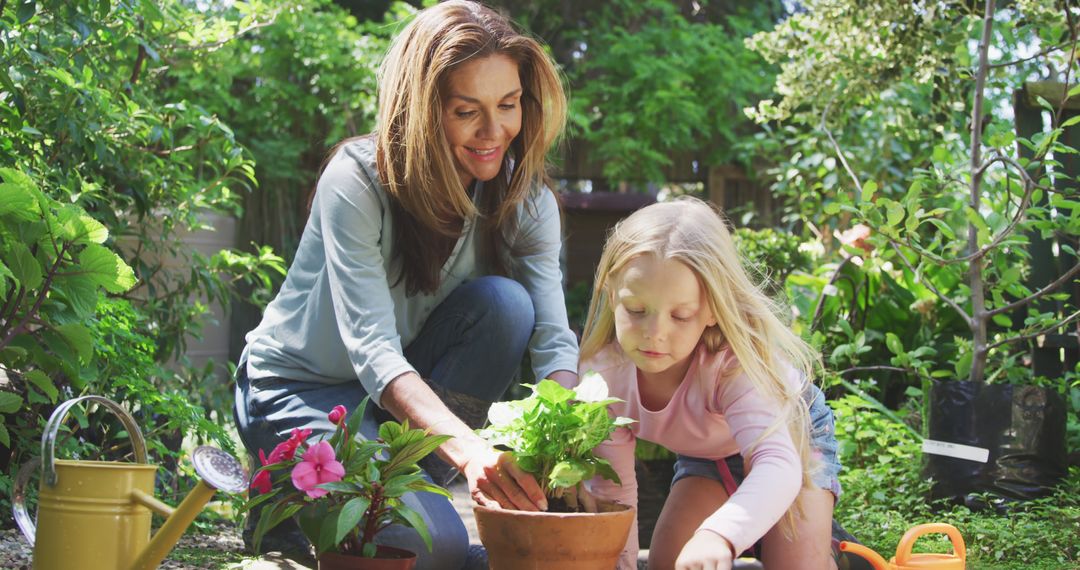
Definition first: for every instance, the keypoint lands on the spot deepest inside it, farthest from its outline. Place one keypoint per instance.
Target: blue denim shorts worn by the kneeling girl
(822, 444)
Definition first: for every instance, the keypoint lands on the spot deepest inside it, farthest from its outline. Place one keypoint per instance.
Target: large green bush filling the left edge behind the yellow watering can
(116, 172)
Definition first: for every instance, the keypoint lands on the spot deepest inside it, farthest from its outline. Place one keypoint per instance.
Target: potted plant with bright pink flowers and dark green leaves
(346, 490)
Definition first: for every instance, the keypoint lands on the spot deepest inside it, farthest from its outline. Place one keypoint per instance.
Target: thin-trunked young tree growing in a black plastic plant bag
(991, 234)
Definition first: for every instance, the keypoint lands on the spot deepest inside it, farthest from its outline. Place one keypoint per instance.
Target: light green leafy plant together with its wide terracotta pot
(552, 435)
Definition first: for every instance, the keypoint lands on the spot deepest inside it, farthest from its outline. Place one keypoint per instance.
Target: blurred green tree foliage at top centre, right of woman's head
(655, 80)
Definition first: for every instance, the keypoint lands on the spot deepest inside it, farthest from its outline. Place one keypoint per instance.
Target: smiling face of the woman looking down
(482, 115)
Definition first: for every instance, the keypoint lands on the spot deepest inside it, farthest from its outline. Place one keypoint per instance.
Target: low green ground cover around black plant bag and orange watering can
(884, 496)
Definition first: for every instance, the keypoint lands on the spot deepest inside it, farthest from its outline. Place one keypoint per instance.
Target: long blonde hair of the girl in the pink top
(695, 234)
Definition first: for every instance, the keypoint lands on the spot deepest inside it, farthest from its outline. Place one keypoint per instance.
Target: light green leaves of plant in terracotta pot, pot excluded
(552, 433)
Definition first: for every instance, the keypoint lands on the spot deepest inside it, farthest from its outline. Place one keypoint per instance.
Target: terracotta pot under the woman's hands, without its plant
(519, 540)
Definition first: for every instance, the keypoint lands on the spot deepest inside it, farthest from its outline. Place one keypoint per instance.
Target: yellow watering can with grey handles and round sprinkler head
(96, 515)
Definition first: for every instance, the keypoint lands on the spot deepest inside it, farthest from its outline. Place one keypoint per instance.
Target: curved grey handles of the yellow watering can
(48, 450)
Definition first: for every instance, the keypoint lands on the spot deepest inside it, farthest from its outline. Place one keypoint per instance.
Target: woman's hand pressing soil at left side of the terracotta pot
(495, 481)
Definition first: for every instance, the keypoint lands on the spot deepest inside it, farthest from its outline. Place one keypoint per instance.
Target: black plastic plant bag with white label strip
(1023, 427)
